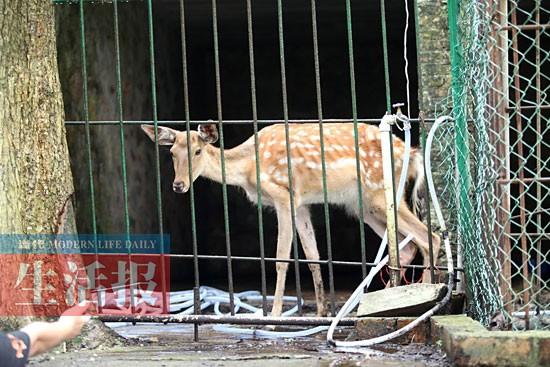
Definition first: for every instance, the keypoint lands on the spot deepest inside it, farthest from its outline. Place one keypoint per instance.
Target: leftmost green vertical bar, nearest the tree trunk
(87, 133)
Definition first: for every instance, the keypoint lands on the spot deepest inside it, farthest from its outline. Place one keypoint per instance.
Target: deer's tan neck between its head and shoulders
(237, 163)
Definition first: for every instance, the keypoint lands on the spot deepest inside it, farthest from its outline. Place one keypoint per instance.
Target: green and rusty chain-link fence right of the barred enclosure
(495, 156)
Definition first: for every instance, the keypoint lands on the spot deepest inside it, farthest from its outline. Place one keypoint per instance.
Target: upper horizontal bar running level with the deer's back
(228, 122)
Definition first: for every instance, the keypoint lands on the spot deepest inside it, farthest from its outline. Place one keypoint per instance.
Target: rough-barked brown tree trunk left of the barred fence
(36, 185)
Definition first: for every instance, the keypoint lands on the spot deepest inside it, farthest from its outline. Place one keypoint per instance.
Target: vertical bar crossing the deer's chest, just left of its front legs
(257, 155)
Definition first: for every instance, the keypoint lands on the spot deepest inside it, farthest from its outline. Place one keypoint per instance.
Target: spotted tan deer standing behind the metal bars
(305, 159)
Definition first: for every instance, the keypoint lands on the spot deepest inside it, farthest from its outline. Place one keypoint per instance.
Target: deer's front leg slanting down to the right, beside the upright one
(309, 244)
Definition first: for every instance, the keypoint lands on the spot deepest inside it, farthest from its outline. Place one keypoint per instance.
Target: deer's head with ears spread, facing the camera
(206, 134)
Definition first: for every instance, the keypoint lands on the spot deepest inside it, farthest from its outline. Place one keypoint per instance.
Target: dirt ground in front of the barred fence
(173, 345)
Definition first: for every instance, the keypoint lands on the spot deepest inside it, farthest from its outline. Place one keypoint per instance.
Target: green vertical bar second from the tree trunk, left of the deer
(122, 146)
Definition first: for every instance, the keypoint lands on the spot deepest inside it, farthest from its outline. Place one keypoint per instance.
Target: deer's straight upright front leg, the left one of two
(284, 242)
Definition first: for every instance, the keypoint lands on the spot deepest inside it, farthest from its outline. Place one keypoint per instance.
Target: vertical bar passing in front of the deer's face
(196, 273)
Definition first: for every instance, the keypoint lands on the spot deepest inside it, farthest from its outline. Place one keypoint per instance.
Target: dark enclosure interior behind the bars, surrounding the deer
(236, 104)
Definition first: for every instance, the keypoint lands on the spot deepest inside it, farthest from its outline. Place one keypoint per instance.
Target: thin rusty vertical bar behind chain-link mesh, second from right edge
(519, 128)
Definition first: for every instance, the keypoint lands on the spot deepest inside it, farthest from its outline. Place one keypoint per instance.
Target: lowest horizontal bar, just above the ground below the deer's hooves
(237, 319)
